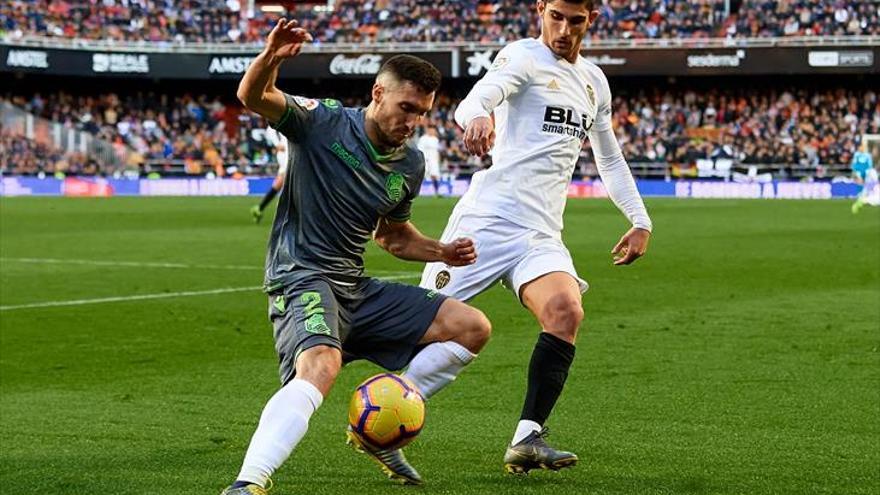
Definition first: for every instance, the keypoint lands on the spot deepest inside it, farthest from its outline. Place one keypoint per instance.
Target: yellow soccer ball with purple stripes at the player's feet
(386, 411)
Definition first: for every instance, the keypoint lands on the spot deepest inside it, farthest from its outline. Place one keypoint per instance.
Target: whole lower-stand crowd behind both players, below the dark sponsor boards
(795, 126)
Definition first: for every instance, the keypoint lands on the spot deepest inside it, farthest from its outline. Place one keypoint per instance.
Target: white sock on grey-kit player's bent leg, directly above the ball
(437, 365)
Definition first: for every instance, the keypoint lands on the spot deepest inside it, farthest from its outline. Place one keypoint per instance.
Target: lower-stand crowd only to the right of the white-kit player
(795, 126)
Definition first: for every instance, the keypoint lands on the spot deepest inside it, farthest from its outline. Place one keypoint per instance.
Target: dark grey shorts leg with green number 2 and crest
(304, 315)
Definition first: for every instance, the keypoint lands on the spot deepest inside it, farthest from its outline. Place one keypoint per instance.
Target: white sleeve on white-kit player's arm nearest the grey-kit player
(509, 74)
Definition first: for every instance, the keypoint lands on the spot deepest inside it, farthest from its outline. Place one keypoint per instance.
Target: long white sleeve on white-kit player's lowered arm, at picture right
(613, 169)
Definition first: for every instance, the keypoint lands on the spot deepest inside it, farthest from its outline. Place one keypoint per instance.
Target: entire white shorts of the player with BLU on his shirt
(506, 252)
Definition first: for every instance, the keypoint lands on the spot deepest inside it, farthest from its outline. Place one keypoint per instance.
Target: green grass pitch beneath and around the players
(740, 356)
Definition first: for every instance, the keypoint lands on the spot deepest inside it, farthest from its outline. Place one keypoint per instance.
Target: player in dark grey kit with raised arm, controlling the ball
(352, 179)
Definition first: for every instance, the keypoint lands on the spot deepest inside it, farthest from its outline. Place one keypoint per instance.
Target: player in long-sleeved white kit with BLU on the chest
(546, 101)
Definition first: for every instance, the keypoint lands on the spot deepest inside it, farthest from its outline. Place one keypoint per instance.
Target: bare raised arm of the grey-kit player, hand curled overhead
(257, 89)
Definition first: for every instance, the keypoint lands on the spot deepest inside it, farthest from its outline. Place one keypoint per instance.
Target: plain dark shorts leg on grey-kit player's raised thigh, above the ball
(388, 321)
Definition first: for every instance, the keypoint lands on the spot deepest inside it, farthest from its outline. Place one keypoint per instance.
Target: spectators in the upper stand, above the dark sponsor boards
(193, 21)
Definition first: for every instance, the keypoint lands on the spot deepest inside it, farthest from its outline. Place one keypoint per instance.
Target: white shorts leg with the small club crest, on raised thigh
(499, 246)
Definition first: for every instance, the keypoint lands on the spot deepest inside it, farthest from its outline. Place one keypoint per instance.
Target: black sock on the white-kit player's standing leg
(548, 370)
